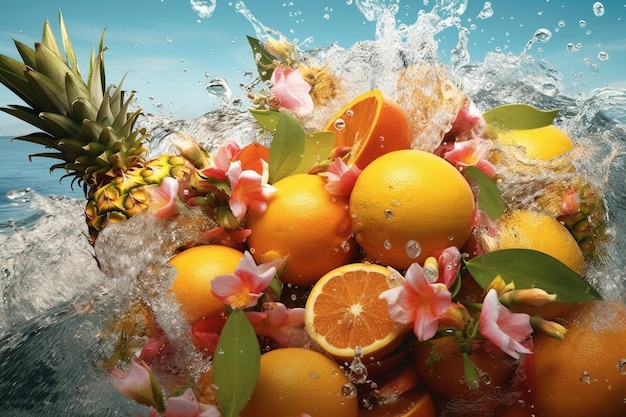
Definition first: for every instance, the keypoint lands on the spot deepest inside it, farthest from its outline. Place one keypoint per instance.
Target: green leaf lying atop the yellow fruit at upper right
(519, 116)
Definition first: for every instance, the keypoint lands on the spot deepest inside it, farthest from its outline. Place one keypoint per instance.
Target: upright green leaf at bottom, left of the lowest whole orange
(236, 364)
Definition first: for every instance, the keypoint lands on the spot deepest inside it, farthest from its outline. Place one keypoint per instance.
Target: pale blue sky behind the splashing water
(169, 52)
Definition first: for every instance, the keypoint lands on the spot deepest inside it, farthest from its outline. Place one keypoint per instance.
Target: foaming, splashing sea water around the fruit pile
(55, 298)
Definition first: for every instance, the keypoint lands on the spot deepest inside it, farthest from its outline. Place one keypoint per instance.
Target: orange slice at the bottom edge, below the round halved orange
(408, 404)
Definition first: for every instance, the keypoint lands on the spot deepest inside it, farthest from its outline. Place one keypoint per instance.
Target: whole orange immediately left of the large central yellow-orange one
(307, 225)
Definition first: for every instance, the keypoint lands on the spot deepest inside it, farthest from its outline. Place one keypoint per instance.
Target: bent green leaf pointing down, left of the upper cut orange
(288, 142)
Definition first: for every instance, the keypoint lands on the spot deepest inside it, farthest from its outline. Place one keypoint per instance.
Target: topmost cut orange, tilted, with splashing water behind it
(371, 125)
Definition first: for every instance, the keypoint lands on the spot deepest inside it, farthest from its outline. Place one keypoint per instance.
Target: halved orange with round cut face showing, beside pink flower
(344, 312)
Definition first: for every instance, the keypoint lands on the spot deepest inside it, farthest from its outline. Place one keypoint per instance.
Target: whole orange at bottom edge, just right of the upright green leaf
(293, 381)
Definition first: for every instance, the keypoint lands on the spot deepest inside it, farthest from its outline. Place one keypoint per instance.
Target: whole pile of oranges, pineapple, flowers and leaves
(378, 258)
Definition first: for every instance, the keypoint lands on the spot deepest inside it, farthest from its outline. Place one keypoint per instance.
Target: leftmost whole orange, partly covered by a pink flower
(196, 267)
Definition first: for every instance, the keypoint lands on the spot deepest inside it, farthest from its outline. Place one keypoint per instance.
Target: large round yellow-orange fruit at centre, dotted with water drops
(408, 204)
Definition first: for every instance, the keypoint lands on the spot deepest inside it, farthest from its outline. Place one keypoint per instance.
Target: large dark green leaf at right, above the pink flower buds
(532, 269)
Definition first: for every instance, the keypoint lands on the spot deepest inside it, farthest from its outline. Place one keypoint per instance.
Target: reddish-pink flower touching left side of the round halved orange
(281, 324)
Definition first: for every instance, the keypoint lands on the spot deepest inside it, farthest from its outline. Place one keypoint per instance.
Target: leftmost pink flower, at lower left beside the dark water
(139, 384)
